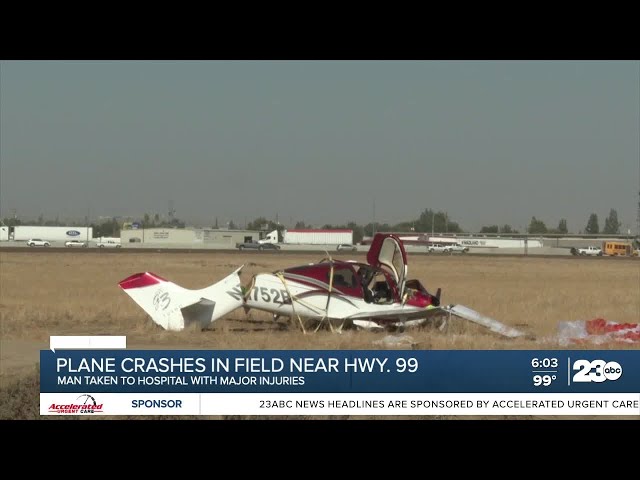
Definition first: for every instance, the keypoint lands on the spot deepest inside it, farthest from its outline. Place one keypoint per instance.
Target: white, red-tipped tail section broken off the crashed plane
(174, 307)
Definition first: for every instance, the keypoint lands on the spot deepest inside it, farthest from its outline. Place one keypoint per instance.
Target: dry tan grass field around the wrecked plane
(65, 293)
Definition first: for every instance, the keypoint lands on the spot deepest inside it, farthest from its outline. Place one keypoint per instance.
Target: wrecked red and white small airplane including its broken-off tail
(333, 293)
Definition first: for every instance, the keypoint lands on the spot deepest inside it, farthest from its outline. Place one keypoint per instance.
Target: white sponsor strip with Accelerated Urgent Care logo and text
(382, 404)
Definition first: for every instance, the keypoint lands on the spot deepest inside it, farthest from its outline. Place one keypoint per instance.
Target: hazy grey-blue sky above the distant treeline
(489, 142)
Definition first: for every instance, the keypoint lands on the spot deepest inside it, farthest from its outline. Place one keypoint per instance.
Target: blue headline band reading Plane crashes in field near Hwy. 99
(339, 371)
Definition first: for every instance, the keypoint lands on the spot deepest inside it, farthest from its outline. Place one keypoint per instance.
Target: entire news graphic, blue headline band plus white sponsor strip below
(339, 382)
